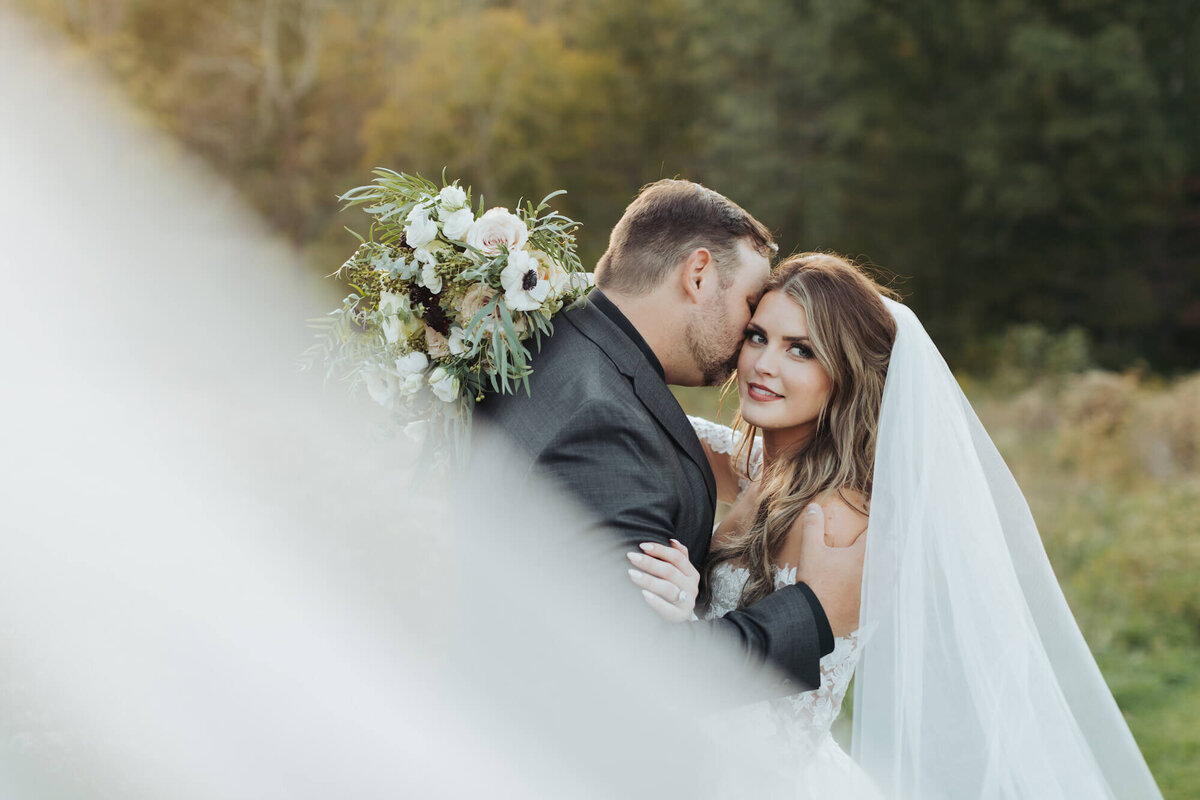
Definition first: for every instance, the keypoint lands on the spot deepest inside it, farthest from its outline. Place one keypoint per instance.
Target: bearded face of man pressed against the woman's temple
(716, 339)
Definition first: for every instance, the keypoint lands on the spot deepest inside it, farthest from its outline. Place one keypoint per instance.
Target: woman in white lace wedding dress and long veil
(974, 679)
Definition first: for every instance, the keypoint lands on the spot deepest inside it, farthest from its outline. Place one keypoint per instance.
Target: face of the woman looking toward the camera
(781, 382)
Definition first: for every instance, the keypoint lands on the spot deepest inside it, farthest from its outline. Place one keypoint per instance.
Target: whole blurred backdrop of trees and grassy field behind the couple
(1028, 170)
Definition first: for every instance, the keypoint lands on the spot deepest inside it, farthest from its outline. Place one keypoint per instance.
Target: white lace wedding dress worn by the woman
(797, 730)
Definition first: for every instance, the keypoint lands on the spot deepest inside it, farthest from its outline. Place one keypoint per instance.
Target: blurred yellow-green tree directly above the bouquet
(507, 105)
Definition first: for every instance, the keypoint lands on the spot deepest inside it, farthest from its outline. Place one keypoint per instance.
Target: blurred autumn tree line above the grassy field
(1012, 161)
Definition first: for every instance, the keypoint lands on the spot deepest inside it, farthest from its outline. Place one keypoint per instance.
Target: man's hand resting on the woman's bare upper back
(833, 574)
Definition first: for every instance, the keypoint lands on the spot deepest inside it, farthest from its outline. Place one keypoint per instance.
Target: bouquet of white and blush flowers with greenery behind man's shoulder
(446, 300)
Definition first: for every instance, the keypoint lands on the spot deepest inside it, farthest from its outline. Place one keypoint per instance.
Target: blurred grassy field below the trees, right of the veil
(1111, 465)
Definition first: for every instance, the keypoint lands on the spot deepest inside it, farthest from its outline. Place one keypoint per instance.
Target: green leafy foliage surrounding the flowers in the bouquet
(351, 342)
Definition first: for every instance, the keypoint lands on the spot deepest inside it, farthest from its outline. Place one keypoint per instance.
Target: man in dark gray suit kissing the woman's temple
(675, 291)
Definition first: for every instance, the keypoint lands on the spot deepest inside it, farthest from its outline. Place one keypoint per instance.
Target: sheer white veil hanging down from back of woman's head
(976, 681)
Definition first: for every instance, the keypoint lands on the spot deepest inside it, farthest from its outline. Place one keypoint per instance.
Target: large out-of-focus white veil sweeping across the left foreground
(211, 587)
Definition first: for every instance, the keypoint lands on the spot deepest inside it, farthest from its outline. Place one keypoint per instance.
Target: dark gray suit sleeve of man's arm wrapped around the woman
(613, 468)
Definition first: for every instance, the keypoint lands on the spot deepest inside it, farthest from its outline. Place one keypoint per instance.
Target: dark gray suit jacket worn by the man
(602, 423)
